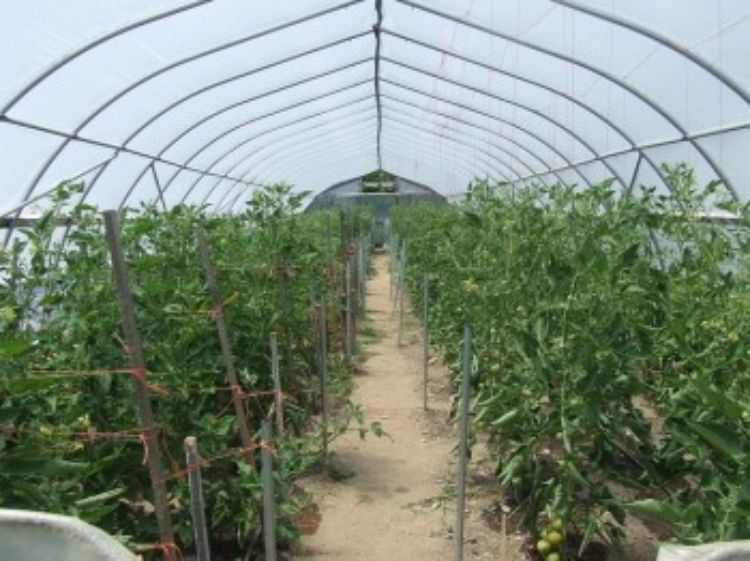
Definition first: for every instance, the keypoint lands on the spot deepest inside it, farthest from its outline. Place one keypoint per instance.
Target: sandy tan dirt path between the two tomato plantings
(399, 503)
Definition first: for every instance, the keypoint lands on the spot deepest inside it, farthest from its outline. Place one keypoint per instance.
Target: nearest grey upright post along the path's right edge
(463, 429)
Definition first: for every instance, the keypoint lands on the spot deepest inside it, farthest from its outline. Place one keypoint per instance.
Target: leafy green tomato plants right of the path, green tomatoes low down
(611, 353)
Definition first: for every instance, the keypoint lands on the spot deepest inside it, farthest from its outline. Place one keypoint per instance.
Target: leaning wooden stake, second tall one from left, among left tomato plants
(226, 346)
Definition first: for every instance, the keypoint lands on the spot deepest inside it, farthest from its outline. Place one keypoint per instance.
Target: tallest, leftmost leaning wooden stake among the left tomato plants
(137, 362)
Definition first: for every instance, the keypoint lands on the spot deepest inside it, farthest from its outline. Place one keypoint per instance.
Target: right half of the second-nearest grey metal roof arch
(591, 68)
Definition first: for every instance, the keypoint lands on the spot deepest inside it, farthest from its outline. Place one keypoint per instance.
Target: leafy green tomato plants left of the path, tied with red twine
(71, 434)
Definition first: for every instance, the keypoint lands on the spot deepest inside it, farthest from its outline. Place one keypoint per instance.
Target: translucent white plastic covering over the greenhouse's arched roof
(203, 101)
